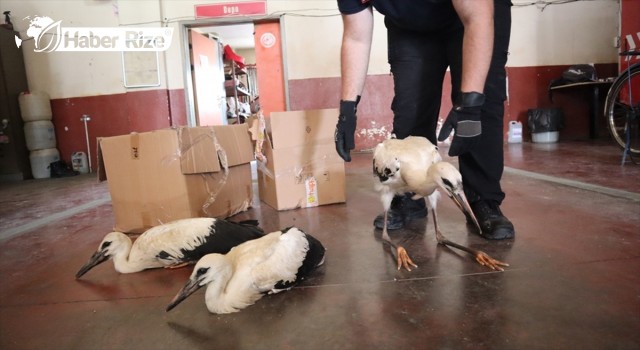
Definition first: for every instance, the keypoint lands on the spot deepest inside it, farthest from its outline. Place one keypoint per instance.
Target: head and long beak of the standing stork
(449, 179)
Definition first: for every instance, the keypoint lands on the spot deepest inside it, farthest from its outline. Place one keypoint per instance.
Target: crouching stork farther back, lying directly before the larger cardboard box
(173, 244)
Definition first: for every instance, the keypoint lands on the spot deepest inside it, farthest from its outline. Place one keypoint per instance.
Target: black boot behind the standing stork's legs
(403, 209)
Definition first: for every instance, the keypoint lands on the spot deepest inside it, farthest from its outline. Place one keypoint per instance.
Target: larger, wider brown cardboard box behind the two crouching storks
(169, 174)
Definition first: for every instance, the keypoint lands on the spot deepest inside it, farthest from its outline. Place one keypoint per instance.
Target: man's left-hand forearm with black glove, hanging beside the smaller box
(354, 60)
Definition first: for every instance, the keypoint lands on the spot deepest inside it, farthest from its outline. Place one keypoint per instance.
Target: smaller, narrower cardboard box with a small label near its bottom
(302, 168)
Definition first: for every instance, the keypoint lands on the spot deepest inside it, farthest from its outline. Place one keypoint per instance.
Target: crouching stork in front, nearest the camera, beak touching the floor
(271, 264)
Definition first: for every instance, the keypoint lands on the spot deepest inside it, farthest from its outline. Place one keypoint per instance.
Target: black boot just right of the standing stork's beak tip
(493, 223)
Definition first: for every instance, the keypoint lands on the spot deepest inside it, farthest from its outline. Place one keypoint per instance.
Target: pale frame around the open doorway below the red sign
(186, 69)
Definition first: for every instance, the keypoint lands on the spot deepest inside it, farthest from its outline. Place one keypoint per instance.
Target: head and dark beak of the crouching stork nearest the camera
(209, 268)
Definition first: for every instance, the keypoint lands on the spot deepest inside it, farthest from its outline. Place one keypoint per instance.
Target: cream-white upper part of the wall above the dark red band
(577, 32)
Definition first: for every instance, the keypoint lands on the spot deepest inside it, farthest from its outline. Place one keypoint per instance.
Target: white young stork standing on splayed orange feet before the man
(414, 165)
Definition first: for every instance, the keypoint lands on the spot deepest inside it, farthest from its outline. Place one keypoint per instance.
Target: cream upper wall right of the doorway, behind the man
(562, 34)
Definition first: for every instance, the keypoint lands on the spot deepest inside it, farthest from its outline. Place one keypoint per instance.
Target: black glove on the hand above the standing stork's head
(465, 119)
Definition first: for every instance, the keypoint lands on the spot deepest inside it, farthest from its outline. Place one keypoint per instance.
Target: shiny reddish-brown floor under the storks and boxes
(573, 283)
